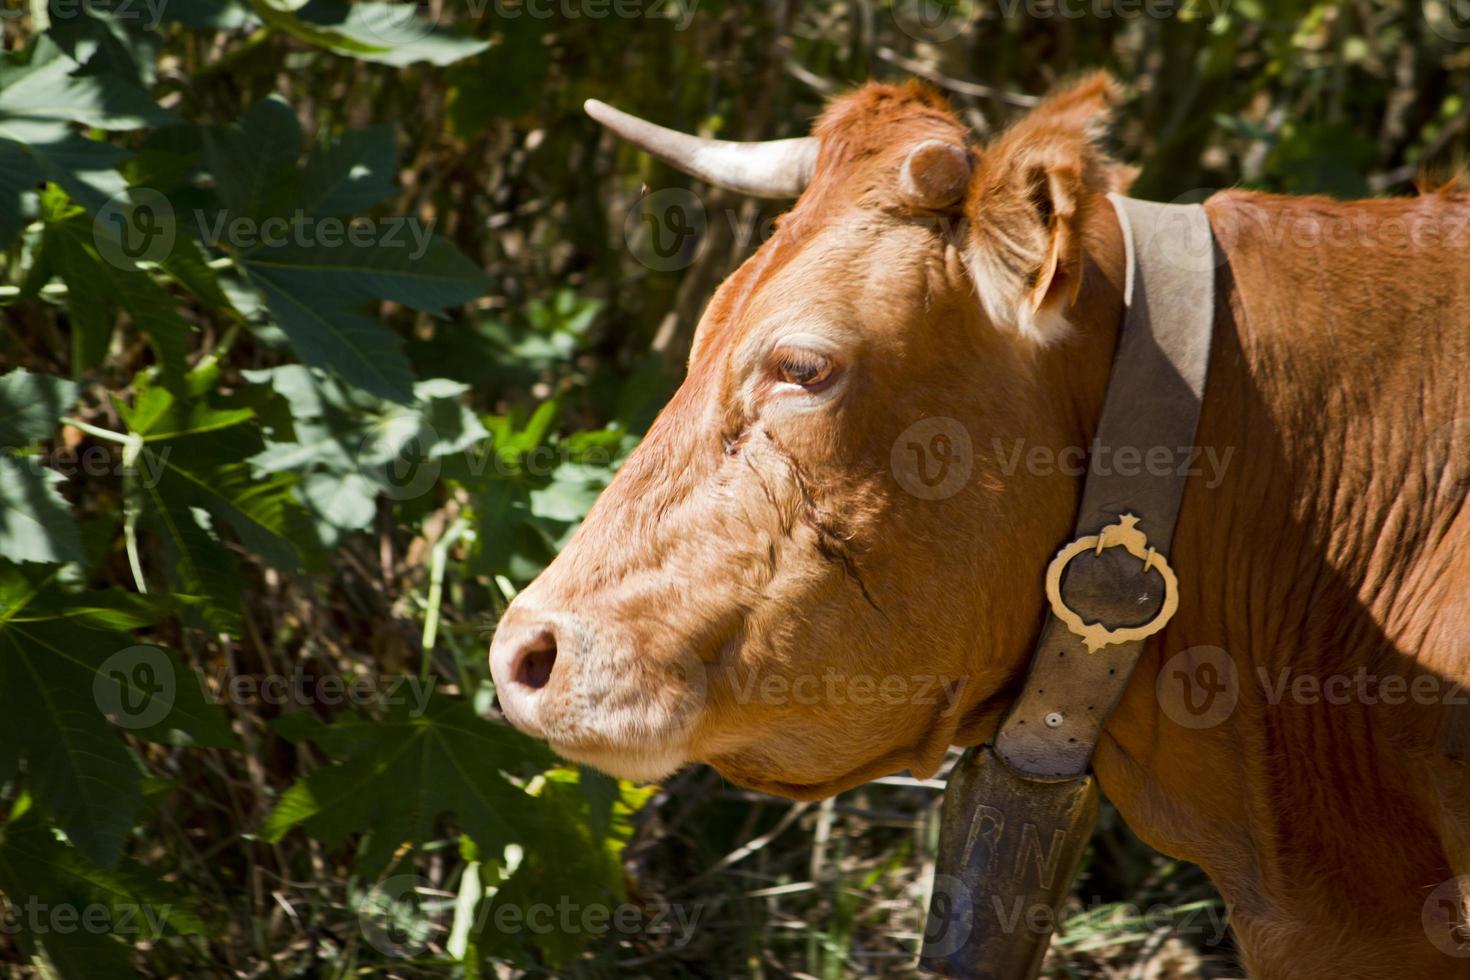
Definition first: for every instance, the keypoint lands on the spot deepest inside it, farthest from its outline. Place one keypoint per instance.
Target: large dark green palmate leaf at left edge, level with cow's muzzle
(61, 677)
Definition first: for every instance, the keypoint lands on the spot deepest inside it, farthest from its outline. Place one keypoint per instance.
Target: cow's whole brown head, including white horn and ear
(822, 563)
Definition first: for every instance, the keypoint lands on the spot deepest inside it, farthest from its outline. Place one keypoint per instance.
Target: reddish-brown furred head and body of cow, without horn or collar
(759, 569)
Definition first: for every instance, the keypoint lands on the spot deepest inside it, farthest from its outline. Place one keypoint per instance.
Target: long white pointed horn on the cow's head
(775, 168)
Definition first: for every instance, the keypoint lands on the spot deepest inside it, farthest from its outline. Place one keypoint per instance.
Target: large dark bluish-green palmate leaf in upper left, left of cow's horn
(323, 277)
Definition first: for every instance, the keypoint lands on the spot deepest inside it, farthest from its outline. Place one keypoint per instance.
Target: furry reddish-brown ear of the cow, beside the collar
(1031, 201)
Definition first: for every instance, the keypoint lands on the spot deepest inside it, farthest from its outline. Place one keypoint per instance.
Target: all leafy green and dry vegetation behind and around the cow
(234, 475)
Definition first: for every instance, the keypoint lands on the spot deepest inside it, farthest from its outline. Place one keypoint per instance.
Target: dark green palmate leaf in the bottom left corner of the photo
(115, 909)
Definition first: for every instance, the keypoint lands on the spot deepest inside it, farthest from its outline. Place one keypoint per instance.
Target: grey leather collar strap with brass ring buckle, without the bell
(1103, 605)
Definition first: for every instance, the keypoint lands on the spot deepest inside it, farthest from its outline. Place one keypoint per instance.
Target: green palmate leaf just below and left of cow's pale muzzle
(401, 775)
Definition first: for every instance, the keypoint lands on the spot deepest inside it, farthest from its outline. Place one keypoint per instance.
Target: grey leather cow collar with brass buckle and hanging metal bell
(1018, 816)
